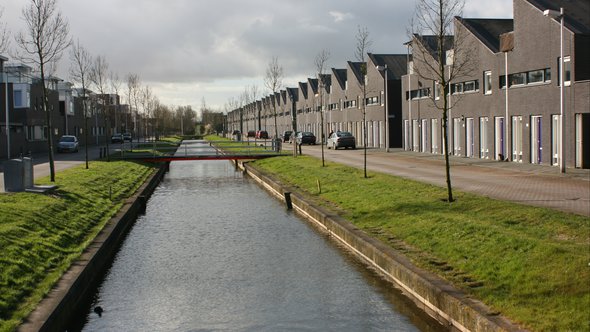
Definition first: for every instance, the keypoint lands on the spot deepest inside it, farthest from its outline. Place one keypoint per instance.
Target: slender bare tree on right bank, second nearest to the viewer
(363, 43)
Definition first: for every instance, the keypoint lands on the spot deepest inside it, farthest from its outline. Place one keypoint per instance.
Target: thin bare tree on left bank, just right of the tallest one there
(79, 72)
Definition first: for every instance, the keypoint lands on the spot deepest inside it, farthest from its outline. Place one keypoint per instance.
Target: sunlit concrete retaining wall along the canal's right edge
(432, 294)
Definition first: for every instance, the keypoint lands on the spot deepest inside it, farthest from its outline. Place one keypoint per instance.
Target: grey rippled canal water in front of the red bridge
(214, 252)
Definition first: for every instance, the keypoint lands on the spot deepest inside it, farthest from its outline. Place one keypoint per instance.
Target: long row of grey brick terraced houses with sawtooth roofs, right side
(507, 108)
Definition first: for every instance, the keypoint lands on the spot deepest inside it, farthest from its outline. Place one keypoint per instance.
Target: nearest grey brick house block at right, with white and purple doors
(521, 123)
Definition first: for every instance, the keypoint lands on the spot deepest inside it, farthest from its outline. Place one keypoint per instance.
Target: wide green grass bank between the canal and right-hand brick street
(528, 263)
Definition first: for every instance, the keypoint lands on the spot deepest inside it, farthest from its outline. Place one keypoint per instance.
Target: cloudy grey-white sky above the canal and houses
(187, 50)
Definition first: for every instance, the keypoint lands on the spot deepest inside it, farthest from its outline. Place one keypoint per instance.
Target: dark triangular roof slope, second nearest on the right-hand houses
(488, 31)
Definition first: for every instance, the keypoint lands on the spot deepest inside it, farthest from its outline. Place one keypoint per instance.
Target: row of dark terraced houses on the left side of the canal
(24, 125)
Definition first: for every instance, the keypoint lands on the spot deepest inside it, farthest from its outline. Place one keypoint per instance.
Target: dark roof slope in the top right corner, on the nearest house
(577, 13)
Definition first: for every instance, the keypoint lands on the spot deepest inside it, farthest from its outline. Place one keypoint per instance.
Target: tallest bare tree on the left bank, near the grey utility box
(43, 42)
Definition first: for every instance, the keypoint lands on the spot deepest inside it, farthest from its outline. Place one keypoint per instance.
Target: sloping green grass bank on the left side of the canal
(41, 235)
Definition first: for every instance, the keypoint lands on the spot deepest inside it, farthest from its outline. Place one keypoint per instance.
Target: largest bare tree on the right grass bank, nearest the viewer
(447, 61)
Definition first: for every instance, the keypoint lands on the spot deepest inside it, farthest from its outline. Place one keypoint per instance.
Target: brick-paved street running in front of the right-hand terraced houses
(536, 185)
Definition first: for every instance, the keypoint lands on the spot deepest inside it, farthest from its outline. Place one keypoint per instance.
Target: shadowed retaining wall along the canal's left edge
(54, 312)
